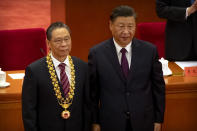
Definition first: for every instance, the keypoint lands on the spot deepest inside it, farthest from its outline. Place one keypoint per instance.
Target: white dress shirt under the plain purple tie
(119, 54)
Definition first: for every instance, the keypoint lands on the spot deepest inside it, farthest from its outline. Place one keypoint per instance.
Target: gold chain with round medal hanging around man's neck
(64, 102)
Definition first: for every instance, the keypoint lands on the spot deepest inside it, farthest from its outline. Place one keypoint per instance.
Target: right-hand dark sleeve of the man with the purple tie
(158, 87)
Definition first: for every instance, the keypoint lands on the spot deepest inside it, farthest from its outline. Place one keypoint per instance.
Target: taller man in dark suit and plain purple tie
(126, 80)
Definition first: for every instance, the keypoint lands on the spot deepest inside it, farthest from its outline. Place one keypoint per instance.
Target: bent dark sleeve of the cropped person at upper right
(165, 9)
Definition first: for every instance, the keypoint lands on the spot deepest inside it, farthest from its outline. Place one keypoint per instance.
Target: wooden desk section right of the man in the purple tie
(181, 101)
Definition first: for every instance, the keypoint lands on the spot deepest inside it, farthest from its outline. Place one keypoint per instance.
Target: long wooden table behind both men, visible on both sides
(180, 113)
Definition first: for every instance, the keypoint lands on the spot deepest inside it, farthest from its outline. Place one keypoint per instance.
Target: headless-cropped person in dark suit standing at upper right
(181, 28)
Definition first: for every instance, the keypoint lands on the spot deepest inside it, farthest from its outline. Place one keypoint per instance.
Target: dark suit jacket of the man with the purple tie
(141, 97)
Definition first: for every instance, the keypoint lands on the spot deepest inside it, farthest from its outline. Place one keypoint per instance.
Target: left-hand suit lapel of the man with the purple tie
(113, 58)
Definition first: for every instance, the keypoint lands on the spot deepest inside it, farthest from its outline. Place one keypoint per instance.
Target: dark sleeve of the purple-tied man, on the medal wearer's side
(94, 90)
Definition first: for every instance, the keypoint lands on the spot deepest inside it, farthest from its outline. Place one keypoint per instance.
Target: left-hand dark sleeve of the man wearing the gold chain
(29, 101)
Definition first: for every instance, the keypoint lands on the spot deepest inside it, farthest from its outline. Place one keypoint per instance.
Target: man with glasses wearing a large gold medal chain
(55, 89)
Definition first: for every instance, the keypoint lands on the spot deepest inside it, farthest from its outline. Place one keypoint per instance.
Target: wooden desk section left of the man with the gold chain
(10, 104)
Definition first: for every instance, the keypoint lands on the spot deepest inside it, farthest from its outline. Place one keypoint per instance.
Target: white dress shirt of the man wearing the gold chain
(57, 69)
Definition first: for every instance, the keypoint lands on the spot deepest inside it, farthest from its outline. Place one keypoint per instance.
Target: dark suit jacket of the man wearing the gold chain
(40, 109)
